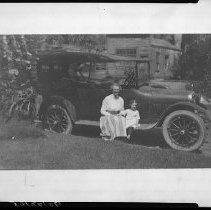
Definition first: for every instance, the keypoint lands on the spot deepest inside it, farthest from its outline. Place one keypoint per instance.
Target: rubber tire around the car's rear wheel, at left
(65, 109)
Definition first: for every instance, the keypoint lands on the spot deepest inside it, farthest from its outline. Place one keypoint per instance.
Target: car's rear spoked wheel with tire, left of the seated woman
(58, 119)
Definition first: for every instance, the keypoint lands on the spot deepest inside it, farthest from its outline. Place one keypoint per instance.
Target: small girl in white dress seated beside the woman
(132, 117)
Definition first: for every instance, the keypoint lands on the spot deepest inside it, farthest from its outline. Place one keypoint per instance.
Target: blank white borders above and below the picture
(142, 185)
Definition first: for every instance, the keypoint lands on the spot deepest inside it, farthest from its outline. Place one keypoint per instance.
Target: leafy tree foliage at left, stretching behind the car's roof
(18, 51)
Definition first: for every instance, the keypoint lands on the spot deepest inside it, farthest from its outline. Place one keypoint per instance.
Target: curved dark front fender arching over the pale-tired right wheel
(180, 106)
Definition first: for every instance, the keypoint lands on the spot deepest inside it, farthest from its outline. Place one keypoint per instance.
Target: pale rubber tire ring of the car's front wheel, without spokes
(202, 126)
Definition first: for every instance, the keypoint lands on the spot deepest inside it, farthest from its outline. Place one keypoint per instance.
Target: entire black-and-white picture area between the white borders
(105, 101)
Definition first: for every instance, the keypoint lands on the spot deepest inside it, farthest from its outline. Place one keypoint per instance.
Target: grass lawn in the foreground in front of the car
(26, 147)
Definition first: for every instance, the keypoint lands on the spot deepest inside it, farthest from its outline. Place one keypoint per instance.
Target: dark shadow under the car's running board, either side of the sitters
(150, 138)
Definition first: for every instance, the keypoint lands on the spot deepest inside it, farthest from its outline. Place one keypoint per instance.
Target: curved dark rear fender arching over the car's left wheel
(66, 102)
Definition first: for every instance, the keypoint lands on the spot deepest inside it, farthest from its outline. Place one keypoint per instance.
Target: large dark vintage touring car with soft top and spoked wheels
(73, 86)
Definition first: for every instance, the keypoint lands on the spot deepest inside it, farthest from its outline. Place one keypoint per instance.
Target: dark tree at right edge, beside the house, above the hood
(192, 64)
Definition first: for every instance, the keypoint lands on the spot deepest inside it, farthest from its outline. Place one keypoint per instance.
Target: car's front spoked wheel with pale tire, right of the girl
(184, 130)
